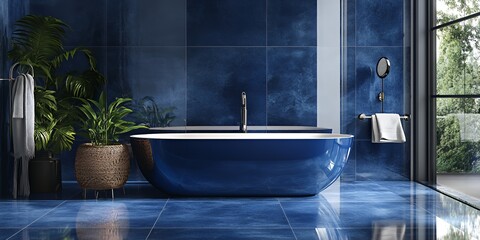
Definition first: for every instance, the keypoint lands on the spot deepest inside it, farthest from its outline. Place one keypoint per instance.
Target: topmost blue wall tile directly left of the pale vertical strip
(292, 23)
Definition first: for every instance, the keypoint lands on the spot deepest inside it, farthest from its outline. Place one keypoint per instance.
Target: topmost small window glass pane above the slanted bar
(449, 10)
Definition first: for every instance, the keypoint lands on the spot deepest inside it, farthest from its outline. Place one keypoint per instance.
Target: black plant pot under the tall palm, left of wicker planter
(45, 174)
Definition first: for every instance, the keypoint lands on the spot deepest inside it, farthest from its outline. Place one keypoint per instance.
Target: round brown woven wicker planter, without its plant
(102, 167)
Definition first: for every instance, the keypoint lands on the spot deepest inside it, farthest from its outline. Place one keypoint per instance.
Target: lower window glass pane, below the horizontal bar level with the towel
(458, 135)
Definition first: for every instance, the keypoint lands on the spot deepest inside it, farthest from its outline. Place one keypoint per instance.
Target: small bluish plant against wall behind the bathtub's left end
(148, 113)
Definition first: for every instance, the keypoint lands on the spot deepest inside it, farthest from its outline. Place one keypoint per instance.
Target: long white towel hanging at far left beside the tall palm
(23, 124)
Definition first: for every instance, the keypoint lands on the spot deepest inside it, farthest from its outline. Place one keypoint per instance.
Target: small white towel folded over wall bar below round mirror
(387, 128)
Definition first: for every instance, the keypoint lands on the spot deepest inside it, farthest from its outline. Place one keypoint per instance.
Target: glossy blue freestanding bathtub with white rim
(241, 164)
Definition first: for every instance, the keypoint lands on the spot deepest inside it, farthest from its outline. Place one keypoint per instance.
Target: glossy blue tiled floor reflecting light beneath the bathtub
(347, 210)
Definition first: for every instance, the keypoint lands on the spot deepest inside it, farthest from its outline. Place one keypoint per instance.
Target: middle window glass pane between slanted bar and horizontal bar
(458, 58)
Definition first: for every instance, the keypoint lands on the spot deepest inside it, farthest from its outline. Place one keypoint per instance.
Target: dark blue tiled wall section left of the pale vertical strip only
(199, 55)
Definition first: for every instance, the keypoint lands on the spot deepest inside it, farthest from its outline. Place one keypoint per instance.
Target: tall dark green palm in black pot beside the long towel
(38, 41)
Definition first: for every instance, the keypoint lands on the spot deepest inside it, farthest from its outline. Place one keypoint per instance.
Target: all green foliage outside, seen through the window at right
(458, 64)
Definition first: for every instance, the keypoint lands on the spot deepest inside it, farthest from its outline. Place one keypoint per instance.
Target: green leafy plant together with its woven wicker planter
(104, 163)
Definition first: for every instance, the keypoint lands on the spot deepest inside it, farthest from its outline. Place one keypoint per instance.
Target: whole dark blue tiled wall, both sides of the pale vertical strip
(198, 55)
